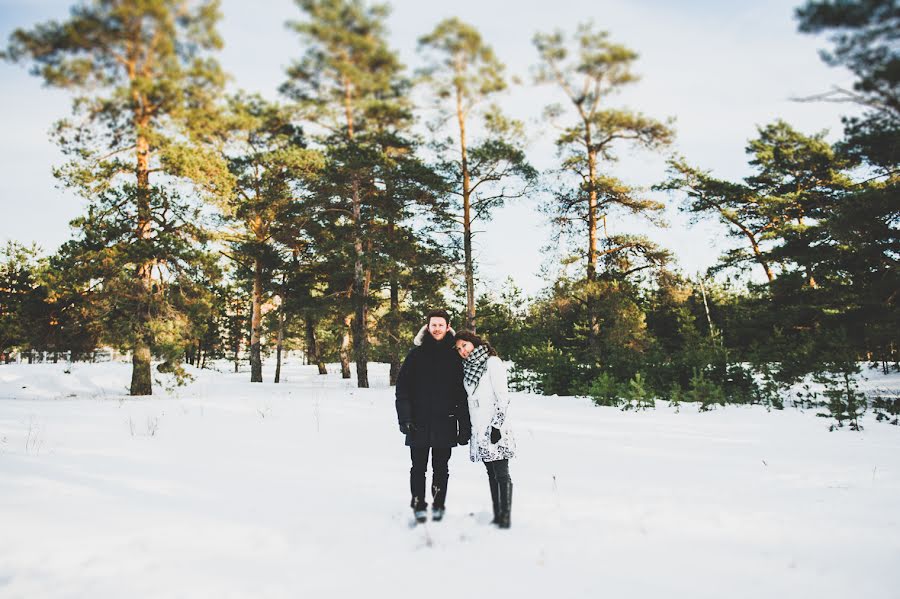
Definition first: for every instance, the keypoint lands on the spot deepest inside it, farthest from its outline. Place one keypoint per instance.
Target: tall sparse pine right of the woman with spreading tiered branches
(588, 74)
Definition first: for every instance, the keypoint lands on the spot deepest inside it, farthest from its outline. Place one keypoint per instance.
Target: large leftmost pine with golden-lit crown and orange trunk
(144, 86)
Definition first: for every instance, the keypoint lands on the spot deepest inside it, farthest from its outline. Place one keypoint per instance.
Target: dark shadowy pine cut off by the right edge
(858, 235)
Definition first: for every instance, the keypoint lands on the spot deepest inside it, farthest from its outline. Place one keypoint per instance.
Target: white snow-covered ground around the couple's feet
(224, 488)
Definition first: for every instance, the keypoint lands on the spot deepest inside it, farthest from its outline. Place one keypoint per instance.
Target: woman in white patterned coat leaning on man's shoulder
(484, 376)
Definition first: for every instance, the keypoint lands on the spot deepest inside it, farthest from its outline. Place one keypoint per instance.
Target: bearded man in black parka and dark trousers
(432, 411)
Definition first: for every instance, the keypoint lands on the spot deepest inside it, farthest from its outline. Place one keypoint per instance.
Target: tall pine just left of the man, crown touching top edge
(346, 65)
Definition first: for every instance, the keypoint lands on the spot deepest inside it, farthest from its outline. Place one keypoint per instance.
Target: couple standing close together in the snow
(451, 391)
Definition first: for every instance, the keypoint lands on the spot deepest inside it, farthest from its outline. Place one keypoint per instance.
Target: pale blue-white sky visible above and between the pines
(720, 69)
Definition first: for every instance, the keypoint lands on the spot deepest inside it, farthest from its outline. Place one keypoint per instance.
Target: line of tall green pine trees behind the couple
(227, 226)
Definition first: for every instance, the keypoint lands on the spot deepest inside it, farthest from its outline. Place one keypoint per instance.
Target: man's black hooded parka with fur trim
(431, 396)
